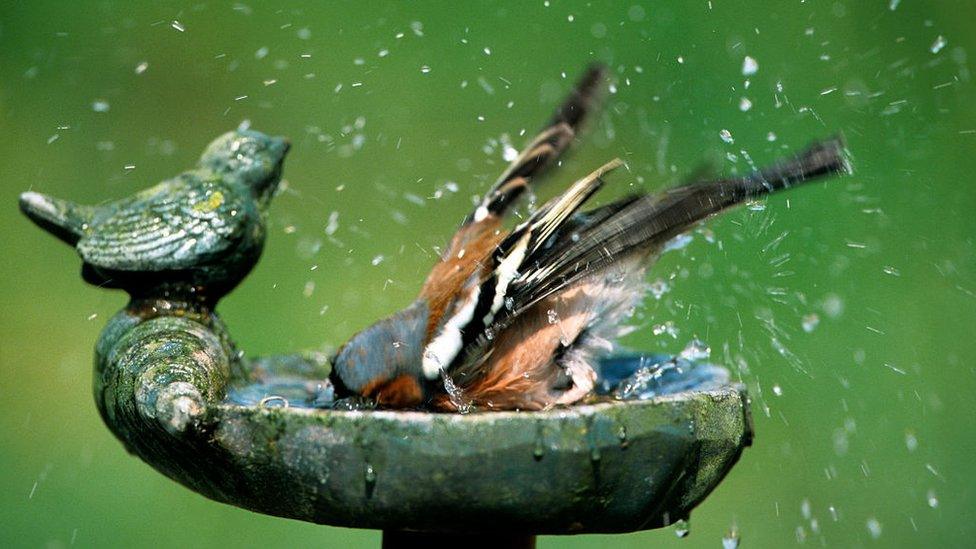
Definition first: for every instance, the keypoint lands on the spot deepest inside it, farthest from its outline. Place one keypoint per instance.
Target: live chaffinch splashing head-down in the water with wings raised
(516, 319)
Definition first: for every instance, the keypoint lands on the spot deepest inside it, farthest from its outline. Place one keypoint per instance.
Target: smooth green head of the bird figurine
(250, 157)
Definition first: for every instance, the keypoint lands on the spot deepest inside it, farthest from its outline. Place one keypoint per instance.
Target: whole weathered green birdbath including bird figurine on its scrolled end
(268, 434)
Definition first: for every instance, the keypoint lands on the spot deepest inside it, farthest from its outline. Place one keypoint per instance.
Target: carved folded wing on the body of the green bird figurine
(176, 225)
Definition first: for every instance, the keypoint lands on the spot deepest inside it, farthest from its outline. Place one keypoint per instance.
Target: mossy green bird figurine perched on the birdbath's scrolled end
(196, 234)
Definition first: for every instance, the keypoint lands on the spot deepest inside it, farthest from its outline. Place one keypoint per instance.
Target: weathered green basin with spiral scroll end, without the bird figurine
(261, 443)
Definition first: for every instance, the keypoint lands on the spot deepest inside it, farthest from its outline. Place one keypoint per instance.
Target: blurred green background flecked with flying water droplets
(865, 421)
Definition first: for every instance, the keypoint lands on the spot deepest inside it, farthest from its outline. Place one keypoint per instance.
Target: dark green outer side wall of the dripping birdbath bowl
(615, 466)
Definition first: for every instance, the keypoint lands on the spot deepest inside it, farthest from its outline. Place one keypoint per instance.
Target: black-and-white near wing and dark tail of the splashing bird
(559, 247)
